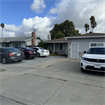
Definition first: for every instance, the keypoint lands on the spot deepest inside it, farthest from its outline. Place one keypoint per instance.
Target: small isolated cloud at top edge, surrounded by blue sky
(38, 6)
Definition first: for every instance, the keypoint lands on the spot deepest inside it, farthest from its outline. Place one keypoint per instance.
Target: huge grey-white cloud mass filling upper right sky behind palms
(79, 12)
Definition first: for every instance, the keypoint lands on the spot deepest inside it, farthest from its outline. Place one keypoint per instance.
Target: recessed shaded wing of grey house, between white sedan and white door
(58, 46)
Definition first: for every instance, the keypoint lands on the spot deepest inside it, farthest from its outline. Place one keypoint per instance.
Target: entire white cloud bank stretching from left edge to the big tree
(41, 24)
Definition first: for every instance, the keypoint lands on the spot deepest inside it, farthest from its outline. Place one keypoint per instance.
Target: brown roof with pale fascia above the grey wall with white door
(88, 35)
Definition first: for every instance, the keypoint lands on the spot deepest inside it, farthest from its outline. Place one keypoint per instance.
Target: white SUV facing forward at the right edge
(93, 60)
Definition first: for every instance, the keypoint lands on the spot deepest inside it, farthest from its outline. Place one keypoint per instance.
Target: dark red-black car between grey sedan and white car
(28, 52)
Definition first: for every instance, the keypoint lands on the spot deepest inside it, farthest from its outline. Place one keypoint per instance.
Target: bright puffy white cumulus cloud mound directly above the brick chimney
(39, 23)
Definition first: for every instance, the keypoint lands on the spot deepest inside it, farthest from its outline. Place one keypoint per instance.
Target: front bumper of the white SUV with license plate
(92, 66)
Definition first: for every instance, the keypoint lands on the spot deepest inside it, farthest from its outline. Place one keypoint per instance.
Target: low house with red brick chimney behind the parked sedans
(19, 41)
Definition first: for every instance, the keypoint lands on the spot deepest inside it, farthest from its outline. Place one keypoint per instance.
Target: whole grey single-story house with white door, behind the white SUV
(74, 46)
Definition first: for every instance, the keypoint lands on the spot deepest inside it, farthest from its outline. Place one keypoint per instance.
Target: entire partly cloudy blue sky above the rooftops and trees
(21, 16)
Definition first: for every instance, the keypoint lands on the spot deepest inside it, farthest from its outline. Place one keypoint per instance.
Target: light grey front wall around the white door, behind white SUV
(84, 44)
